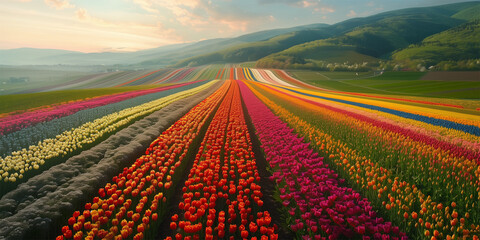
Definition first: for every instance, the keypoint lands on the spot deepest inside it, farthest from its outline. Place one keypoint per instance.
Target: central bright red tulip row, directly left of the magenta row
(222, 197)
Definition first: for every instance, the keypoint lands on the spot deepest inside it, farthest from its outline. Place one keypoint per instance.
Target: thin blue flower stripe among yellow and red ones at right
(475, 130)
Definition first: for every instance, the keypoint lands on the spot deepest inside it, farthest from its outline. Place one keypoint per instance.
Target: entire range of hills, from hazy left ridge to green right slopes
(427, 35)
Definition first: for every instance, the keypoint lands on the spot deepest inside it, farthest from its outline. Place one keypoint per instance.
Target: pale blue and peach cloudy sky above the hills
(132, 25)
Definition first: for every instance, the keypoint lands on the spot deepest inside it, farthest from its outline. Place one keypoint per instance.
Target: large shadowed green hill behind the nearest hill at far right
(378, 37)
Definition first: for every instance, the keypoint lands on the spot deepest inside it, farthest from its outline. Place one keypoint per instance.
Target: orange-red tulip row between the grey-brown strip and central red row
(126, 207)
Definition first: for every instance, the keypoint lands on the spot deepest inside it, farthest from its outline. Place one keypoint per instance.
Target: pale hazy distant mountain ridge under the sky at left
(162, 56)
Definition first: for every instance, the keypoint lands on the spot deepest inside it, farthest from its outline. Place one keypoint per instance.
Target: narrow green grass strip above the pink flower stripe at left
(10, 103)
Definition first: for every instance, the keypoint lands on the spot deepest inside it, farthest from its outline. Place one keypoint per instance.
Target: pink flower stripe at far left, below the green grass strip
(17, 122)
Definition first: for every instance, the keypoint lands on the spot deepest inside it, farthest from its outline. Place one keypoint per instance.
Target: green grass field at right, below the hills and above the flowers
(391, 83)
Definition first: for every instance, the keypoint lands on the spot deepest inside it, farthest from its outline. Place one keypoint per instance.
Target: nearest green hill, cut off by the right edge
(459, 43)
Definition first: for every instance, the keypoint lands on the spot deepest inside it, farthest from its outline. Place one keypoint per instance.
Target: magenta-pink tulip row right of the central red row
(312, 190)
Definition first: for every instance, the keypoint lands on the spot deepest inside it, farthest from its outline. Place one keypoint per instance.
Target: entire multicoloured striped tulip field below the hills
(225, 152)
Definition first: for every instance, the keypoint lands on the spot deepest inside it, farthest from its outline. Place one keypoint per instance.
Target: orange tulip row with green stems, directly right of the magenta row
(404, 203)
